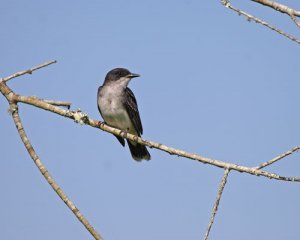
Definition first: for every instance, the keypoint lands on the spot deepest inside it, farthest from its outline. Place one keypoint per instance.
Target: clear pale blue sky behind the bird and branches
(211, 83)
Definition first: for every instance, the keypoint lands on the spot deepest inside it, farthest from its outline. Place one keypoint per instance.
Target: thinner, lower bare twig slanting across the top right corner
(250, 17)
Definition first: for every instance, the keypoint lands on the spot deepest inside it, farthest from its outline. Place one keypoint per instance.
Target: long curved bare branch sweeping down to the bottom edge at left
(46, 174)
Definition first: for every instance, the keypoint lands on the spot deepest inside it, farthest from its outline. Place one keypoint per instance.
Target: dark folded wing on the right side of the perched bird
(133, 111)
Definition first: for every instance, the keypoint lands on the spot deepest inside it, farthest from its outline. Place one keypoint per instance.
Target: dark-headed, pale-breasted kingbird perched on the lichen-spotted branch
(118, 107)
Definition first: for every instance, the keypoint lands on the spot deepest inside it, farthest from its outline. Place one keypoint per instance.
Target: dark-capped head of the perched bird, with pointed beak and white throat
(120, 76)
